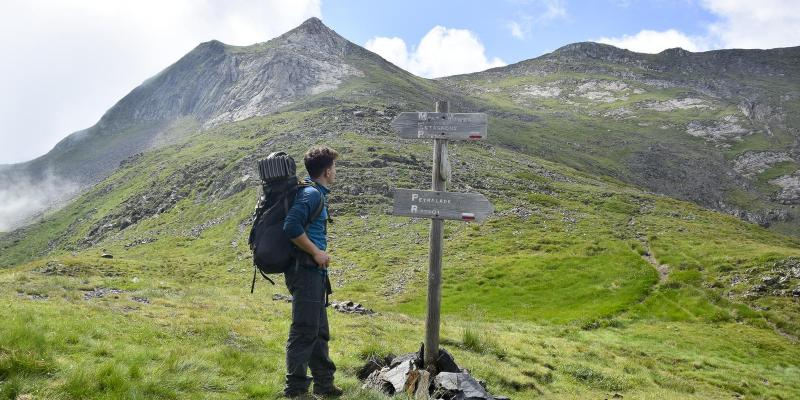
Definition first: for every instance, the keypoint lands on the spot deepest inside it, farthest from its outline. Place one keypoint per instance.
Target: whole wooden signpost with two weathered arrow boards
(438, 204)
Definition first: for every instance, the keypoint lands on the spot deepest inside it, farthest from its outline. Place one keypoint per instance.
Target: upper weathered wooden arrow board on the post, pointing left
(451, 126)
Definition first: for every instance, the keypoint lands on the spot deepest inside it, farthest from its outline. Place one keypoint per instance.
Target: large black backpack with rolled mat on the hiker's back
(273, 252)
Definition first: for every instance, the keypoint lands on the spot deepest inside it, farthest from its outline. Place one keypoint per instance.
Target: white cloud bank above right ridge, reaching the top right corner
(747, 24)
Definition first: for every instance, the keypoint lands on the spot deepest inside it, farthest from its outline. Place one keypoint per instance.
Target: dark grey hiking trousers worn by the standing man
(307, 346)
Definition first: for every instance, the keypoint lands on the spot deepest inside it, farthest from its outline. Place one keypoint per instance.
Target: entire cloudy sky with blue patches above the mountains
(65, 62)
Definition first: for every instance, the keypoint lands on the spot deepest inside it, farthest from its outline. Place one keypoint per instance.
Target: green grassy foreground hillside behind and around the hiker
(550, 296)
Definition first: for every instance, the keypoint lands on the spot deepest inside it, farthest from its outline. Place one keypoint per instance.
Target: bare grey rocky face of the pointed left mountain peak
(220, 83)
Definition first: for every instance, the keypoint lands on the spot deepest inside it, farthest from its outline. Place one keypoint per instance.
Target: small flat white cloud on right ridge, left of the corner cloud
(647, 41)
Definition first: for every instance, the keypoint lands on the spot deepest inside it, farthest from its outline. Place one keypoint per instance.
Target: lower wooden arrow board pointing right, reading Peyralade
(441, 205)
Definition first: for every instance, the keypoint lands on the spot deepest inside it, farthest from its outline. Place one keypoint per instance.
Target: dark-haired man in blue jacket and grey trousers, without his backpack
(307, 280)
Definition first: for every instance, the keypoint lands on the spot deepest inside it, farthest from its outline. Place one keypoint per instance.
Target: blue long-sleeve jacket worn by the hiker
(305, 203)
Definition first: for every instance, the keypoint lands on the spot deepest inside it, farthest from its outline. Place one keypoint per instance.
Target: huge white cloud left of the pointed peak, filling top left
(66, 62)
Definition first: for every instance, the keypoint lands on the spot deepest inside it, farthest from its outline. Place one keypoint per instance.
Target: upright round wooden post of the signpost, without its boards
(435, 255)
